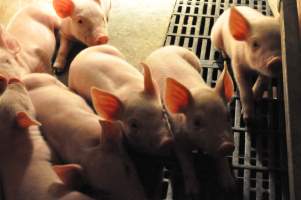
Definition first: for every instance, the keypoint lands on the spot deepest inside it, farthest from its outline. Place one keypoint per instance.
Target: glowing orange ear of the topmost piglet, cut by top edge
(63, 8)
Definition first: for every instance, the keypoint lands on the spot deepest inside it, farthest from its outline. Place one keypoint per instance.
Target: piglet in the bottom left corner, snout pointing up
(26, 171)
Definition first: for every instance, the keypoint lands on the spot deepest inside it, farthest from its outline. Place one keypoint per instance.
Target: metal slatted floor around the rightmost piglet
(259, 160)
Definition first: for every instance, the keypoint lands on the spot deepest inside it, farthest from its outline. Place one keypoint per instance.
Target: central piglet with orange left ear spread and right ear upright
(121, 93)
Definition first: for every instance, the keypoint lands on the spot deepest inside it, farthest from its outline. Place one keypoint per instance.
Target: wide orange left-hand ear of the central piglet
(107, 105)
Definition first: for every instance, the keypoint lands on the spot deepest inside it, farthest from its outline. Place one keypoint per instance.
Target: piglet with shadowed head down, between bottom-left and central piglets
(78, 136)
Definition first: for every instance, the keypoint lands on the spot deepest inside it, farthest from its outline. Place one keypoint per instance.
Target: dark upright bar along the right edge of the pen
(292, 93)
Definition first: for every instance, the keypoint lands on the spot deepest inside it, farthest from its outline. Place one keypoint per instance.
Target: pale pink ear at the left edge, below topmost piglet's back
(9, 42)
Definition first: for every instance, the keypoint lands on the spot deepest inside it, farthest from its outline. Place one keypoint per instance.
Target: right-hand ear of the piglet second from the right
(224, 85)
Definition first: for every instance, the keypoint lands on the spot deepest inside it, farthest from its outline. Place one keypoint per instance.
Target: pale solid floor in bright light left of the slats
(136, 27)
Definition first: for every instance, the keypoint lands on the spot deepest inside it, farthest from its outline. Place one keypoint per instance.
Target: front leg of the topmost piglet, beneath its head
(61, 58)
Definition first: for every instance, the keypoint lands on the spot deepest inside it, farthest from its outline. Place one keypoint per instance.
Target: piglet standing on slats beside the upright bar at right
(252, 41)
